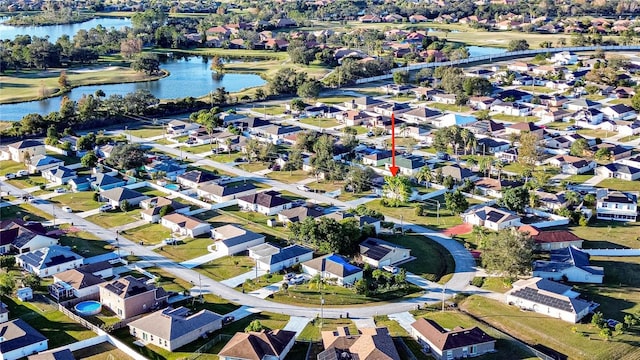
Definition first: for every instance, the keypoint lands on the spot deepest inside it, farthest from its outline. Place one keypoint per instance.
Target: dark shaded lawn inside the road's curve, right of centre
(433, 261)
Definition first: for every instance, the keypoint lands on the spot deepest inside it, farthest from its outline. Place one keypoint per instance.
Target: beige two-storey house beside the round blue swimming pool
(128, 297)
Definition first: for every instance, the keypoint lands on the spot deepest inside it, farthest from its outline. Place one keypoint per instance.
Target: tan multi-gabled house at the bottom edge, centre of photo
(371, 343)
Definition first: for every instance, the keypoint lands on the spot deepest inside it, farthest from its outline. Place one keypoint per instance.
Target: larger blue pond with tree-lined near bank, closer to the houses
(189, 76)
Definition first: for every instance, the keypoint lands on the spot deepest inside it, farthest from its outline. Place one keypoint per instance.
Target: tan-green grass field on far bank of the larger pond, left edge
(32, 85)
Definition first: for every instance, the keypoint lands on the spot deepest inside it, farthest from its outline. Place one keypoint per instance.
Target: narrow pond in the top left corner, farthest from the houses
(55, 31)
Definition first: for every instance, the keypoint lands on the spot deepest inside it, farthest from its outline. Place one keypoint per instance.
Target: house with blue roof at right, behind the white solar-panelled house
(569, 264)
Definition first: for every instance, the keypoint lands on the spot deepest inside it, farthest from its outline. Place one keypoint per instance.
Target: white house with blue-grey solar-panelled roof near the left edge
(49, 261)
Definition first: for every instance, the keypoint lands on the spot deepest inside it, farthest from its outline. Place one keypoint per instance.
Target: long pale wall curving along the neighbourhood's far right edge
(492, 57)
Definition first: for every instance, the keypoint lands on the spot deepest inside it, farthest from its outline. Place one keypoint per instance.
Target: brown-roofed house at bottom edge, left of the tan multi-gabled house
(272, 345)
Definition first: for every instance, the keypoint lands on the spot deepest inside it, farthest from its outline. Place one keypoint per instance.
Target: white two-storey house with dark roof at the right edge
(617, 205)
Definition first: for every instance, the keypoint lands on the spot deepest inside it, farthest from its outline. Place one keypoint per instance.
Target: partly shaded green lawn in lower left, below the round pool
(44, 315)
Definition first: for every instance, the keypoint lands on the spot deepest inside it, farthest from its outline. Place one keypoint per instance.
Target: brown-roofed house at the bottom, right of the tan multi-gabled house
(452, 344)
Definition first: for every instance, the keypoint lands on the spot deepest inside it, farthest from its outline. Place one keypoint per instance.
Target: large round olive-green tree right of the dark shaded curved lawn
(509, 252)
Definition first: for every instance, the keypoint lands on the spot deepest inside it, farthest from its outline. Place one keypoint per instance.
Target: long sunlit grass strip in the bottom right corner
(535, 328)
